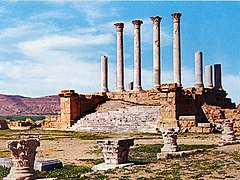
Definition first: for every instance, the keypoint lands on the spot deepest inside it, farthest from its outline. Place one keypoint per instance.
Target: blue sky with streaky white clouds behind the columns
(47, 46)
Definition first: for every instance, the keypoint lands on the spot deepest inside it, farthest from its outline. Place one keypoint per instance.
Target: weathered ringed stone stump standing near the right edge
(228, 135)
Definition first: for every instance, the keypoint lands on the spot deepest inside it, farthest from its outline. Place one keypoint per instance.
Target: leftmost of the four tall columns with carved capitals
(120, 74)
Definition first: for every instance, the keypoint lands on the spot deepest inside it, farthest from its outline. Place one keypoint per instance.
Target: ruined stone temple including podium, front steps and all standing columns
(192, 109)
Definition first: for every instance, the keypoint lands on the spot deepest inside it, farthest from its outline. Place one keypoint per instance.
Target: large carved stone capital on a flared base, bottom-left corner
(23, 153)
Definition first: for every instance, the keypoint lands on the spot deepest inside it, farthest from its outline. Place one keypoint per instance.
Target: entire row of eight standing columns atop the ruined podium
(156, 58)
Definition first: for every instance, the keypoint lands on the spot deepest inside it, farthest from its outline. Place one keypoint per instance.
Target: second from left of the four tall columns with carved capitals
(137, 55)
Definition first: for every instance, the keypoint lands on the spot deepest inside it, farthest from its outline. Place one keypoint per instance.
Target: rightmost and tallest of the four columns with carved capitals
(176, 49)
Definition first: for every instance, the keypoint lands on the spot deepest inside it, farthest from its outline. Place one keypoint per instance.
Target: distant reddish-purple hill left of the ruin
(14, 105)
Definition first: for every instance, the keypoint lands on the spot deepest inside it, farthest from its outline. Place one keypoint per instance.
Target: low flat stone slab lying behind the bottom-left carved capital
(41, 164)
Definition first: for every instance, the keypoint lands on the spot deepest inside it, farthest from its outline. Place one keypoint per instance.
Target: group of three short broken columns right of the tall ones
(208, 73)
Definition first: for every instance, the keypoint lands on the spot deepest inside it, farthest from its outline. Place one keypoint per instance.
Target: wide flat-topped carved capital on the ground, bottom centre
(115, 151)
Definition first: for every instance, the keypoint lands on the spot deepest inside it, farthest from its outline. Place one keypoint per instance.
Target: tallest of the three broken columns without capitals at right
(198, 70)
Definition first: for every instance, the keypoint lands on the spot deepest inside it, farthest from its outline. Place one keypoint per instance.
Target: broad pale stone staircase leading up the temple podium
(128, 119)
